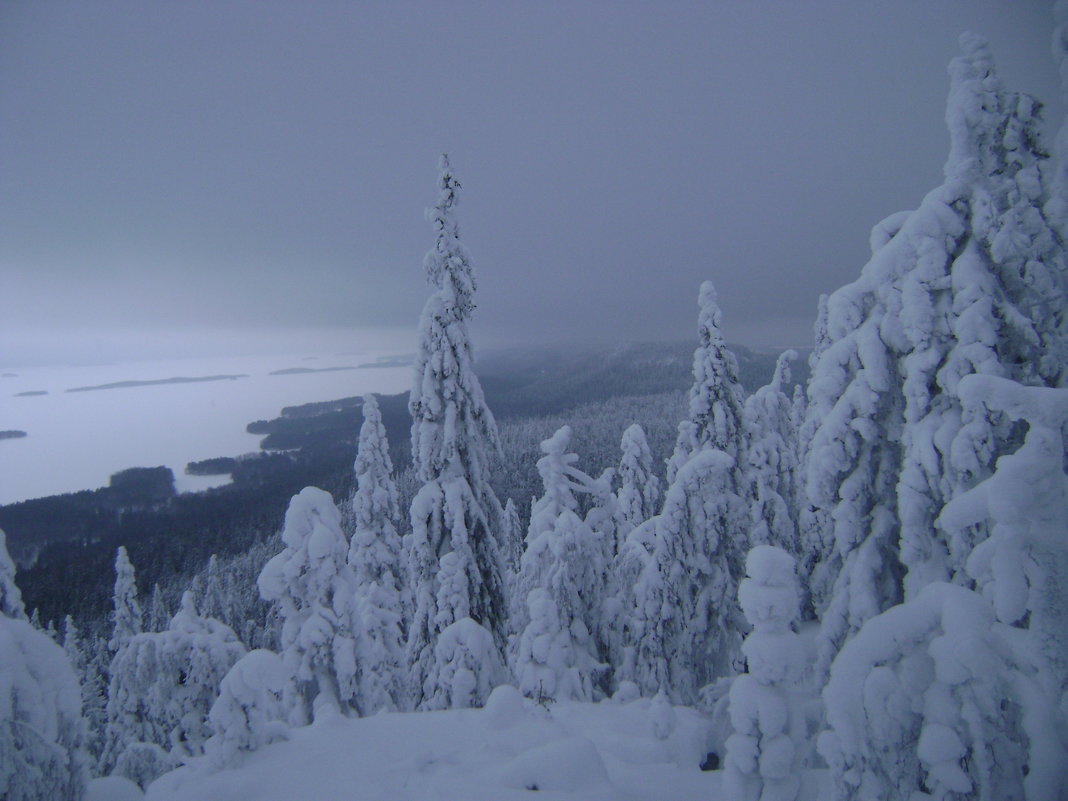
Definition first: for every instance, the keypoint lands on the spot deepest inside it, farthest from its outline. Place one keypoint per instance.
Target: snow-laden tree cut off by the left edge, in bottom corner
(42, 731)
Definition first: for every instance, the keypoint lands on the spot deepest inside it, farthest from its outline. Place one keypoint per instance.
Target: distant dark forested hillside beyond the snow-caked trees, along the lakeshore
(66, 544)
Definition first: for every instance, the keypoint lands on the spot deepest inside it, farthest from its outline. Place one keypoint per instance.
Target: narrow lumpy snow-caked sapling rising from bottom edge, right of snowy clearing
(764, 753)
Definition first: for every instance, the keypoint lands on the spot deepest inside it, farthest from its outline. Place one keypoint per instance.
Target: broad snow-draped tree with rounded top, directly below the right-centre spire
(687, 618)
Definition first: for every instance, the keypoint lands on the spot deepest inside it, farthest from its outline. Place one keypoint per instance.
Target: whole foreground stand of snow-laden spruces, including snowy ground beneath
(854, 589)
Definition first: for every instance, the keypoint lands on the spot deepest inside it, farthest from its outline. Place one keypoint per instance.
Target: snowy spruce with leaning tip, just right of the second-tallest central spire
(774, 461)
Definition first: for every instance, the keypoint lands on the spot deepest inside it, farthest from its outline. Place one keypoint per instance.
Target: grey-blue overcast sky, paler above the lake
(265, 166)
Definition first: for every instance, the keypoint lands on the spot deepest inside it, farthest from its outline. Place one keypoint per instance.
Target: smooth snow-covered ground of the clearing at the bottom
(596, 752)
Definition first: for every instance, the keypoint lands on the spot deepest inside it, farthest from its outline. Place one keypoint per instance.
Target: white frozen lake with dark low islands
(76, 441)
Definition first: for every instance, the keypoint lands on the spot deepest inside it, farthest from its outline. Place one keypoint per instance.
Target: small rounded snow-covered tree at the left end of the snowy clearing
(250, 712)
